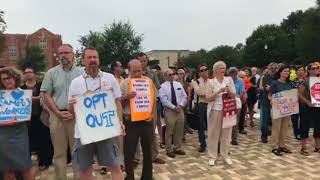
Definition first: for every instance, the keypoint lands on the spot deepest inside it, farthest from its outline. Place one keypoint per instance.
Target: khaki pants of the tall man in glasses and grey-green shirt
(62, 135)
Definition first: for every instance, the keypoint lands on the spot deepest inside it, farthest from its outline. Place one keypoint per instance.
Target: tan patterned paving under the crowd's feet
(252, 160)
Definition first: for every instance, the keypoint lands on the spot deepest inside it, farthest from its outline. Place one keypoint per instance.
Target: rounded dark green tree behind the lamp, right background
(267, 43)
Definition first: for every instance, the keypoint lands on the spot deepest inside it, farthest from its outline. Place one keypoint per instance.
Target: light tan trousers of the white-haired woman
(218, 134)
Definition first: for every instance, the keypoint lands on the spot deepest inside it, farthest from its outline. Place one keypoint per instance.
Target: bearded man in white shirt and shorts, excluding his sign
(106, 151)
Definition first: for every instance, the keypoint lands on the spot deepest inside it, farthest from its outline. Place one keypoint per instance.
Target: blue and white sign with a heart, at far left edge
(15, 106)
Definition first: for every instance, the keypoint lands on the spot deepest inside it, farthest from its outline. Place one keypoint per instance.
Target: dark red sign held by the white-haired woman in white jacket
(229, 111)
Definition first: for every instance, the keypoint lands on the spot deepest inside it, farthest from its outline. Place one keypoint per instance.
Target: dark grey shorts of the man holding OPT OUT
(106, 152)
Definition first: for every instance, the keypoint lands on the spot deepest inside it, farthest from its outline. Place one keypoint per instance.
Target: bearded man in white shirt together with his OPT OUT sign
(96, 98)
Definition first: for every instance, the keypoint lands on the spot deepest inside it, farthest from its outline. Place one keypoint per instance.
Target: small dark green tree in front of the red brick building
(34, 58)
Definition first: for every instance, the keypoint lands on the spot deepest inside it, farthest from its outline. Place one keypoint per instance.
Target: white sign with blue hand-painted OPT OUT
(96, 116)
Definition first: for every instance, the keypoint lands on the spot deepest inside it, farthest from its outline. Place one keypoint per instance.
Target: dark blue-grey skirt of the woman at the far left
(14, 148)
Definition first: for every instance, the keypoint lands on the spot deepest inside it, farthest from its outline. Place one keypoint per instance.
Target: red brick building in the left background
(17, 43)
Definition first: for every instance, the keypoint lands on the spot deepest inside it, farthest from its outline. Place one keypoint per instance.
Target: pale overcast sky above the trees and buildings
(166, 24)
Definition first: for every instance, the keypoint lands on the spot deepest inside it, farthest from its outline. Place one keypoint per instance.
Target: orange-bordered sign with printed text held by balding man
(142, 104)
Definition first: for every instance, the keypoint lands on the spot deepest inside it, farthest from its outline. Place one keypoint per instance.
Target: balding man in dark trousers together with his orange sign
(139, 97)
